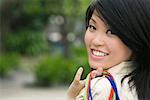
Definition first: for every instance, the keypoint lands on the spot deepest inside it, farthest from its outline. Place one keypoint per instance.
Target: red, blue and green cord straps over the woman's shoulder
(113, 92)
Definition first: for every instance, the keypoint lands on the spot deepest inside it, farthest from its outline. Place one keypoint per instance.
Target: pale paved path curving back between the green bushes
(13, 89)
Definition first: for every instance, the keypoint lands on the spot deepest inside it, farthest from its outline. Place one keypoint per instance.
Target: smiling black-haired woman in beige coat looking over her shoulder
(118, 41)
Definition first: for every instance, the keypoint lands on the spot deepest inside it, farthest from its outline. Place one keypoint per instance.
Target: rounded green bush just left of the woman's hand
(53, 71)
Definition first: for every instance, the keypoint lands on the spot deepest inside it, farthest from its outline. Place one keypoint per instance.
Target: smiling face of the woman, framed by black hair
(104, 49)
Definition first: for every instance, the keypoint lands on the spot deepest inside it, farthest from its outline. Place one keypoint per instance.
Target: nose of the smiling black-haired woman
(98, 40)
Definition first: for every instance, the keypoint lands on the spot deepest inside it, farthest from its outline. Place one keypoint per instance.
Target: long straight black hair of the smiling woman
(130, 21)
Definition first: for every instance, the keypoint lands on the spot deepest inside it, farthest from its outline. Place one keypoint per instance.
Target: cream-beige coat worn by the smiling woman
(100, 86)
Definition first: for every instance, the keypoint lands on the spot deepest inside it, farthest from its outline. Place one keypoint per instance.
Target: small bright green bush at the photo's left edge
(8, 62)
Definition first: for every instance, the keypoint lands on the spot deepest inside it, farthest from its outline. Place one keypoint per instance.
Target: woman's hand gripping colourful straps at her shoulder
(77, 85)
